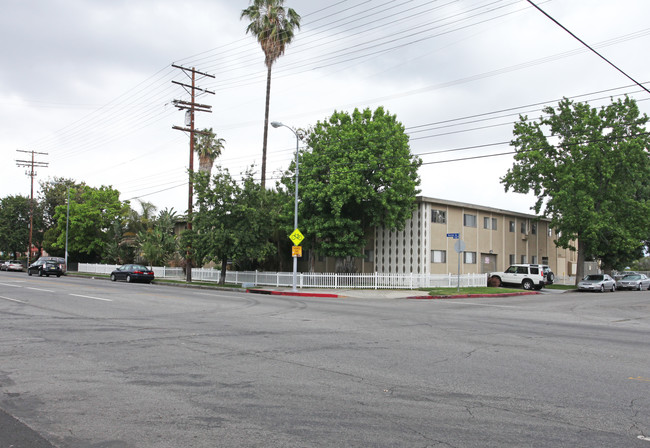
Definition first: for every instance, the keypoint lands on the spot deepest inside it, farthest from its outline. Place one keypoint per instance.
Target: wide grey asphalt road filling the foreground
(90, 363)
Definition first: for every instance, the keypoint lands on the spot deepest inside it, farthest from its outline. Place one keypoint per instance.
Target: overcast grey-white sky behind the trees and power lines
(90, 84)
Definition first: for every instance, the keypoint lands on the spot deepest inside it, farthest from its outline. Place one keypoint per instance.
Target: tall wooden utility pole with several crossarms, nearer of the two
(190, 107)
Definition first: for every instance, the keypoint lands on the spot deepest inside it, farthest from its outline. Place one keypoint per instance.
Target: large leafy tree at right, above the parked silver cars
(590, 171)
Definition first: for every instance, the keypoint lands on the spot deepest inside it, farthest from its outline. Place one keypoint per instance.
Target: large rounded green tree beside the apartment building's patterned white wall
(359, 173)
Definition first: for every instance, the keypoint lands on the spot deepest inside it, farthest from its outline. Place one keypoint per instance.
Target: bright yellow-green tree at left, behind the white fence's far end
(92, 217)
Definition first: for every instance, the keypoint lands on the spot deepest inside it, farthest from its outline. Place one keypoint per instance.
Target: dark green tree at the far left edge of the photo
(14, 225)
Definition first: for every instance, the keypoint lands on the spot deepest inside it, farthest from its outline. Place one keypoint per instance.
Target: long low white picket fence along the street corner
(311, 280)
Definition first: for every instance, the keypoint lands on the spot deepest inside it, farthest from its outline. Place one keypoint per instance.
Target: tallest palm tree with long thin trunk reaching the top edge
(273, 25)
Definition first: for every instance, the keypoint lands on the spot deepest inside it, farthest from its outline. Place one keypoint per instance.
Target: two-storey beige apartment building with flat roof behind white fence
(492, 238)
